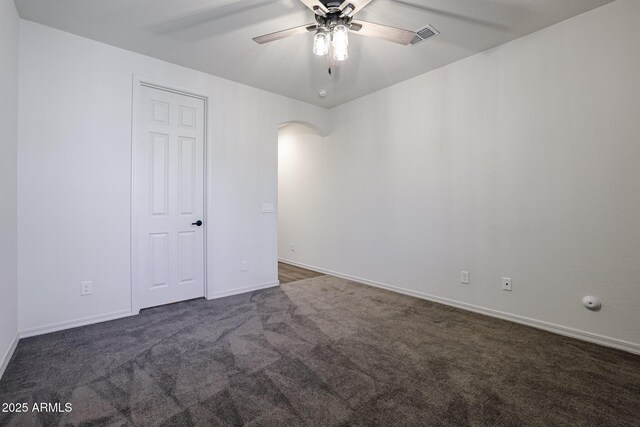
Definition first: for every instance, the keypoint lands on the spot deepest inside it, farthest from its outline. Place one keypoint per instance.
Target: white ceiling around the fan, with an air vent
(214, 36)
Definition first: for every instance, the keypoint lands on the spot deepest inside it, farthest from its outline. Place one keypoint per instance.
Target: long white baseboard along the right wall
(535, 323)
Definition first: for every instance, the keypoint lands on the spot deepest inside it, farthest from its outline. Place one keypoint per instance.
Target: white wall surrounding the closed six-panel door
(74, 172)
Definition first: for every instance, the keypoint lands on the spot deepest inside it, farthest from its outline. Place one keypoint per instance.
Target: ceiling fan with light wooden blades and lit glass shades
(334, 20)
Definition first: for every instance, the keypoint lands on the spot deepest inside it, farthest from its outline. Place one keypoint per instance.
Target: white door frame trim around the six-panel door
(138, 83)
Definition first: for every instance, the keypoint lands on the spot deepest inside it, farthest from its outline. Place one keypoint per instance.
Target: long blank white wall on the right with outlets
(520, 162)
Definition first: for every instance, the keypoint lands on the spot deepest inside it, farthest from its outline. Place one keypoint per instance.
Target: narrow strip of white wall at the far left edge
(8, 173)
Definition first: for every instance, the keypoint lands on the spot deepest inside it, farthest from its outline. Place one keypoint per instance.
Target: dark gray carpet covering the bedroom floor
(323, 352)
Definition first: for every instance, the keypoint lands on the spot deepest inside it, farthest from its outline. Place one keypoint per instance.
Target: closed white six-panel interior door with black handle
(170, 193)
